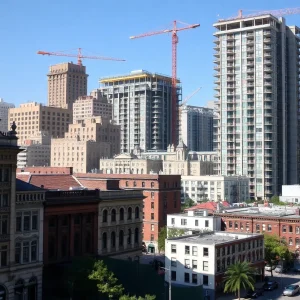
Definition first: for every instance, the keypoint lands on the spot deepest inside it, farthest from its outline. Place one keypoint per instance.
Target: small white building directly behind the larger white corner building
(193, 222)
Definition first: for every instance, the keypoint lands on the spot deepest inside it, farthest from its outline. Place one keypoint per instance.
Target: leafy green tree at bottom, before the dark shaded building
(106, 280)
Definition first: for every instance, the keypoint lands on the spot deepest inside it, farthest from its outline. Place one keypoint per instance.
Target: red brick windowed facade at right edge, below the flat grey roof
(287, 227)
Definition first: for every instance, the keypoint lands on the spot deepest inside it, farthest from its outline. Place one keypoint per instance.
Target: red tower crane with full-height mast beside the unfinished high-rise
(174, 31)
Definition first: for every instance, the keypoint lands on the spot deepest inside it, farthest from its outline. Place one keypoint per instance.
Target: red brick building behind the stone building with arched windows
(162, 194)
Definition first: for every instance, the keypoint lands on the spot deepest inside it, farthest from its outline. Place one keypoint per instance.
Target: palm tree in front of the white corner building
(240, 275)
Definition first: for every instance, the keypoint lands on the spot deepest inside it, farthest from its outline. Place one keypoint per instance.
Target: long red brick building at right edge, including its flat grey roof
(280, 221)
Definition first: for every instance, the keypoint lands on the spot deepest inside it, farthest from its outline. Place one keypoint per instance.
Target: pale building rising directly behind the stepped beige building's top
(86, 107)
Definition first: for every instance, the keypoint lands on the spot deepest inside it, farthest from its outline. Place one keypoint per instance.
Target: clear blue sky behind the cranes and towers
(103, 28)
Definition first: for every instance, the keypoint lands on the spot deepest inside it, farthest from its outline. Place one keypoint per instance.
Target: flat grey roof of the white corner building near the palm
(214, 238)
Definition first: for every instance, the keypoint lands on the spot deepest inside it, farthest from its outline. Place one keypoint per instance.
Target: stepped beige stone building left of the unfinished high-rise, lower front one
(85, 143)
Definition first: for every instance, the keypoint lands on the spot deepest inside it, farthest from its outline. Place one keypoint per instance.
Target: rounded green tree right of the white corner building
(275, 249)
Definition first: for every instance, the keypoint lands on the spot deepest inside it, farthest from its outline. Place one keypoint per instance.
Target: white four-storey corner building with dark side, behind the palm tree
(203, 259)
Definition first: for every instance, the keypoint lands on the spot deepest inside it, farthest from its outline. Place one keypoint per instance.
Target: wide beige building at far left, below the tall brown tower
(33, 118)
